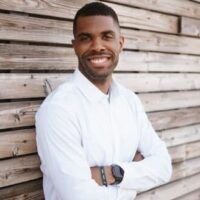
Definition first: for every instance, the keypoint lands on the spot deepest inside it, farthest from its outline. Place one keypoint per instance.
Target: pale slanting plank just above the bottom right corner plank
(169, 191)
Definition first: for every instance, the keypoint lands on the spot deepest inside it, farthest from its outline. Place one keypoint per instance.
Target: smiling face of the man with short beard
(97, 45)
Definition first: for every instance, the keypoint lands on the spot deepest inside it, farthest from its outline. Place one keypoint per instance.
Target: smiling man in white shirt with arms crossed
(90, 128)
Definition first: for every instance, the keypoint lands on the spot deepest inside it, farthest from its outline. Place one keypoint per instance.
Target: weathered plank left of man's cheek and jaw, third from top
(31, 57)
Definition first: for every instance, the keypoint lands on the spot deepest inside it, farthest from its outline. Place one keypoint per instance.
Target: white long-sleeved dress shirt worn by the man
(78, 126)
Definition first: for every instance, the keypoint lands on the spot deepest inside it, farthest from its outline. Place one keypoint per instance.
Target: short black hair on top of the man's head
(95, 9)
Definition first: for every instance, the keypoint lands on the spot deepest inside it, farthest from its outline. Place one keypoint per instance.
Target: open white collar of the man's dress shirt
(89, 90)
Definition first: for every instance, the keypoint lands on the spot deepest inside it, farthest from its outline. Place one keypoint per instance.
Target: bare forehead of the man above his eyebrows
(95, 24)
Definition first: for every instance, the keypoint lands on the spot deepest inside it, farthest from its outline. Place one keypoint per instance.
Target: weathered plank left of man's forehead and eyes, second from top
(25, 28)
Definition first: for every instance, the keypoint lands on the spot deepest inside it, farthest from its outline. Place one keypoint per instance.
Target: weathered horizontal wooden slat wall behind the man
(160, 61)
